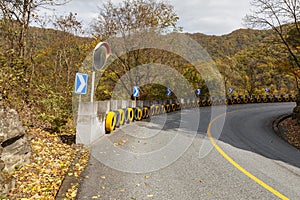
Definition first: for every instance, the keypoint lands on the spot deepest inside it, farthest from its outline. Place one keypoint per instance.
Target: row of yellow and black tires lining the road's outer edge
(115, 119)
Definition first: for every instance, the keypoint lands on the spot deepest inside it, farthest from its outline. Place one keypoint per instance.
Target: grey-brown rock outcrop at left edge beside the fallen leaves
(14, 147)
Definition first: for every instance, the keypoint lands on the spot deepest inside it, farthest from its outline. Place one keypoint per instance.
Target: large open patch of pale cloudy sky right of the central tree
(211, 16)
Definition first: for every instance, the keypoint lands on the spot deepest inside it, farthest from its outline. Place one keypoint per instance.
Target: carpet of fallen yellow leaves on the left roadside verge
(49, 164)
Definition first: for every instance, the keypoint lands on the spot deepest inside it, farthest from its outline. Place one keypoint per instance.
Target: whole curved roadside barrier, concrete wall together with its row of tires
(99, 118)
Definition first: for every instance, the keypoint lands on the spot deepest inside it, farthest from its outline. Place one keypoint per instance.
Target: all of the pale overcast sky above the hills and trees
(212, 17)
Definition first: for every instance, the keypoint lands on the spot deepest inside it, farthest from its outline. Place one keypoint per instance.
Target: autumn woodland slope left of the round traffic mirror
(40, 85)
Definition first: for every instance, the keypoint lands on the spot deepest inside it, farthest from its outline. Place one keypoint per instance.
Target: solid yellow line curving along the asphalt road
(235, 164)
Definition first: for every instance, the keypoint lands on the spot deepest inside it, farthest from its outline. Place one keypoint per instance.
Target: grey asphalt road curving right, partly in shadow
(172, 157)
